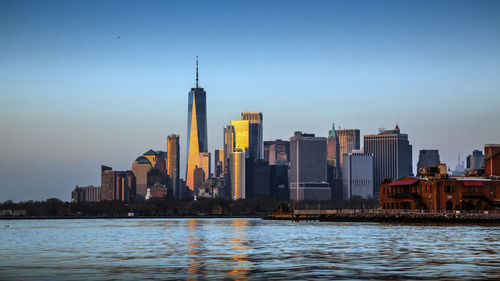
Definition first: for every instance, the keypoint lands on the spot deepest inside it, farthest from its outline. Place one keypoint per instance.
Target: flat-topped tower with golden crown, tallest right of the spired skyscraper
(255, 134)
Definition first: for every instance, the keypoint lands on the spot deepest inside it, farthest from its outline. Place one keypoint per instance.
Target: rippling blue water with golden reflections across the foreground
(242, 249)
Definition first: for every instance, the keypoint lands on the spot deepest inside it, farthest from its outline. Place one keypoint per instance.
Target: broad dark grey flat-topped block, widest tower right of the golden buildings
(308, 168)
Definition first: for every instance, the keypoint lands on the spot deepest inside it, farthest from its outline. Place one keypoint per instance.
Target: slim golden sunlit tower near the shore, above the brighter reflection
(237, 162)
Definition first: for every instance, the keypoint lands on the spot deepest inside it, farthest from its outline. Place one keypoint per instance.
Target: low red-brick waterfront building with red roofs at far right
(441, 194)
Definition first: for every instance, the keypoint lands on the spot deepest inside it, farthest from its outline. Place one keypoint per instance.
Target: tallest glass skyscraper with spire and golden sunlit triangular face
(197, 129)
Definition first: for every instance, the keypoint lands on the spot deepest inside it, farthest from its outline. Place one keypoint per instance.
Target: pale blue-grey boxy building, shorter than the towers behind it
(357, 175)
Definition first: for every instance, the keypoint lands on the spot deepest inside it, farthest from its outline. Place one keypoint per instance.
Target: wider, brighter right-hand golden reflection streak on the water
(240, 249)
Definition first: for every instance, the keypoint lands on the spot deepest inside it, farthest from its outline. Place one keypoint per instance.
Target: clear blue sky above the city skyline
(85, 83)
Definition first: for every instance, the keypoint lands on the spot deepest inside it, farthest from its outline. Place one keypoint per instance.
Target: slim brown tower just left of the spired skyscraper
(173, 171)
